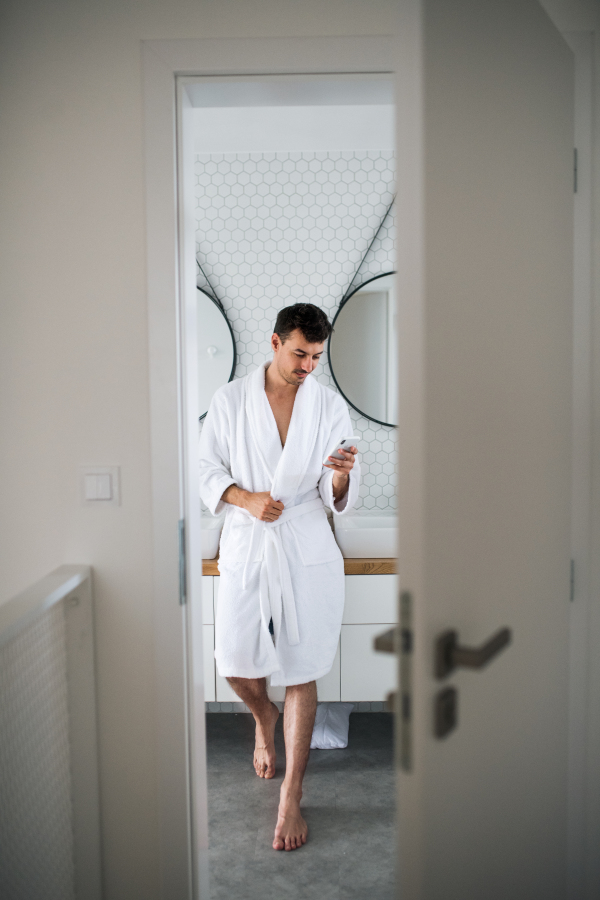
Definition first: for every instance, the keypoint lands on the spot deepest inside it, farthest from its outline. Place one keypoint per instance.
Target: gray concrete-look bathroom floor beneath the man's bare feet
(348, 804)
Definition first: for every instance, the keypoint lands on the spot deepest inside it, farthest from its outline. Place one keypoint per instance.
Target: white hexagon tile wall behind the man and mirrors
(280, 228)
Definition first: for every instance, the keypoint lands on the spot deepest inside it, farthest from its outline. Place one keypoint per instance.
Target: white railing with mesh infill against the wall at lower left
(49, 815)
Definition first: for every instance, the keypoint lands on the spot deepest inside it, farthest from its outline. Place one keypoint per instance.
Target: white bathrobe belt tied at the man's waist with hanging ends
(275, 585)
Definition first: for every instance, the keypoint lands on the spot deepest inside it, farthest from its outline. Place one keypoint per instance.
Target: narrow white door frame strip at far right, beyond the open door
(583, 875)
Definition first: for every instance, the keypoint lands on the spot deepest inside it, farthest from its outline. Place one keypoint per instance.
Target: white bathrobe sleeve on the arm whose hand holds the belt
(215, 462)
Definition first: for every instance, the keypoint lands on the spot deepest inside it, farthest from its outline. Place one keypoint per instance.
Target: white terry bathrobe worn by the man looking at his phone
(290, 571)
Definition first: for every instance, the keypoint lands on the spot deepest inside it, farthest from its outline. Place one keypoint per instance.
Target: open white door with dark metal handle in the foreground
(485, 288)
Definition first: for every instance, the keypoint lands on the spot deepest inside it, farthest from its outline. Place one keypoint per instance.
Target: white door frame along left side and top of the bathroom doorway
(181, 757)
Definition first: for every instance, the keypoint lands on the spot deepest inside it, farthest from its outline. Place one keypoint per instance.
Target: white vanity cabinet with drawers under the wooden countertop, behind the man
(358, 672)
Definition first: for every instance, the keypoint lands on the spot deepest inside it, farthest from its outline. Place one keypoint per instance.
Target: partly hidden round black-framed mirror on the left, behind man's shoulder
(216, 349)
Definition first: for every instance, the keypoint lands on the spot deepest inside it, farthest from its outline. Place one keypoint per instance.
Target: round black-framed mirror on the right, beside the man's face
(362, 350)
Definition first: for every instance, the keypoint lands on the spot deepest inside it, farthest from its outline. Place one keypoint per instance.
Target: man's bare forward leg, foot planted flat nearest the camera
(298, 722)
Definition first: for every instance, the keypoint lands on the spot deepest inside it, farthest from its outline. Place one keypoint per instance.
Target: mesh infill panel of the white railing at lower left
(36, 838)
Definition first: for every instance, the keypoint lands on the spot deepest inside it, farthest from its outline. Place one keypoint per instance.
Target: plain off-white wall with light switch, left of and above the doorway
(73, 351)
